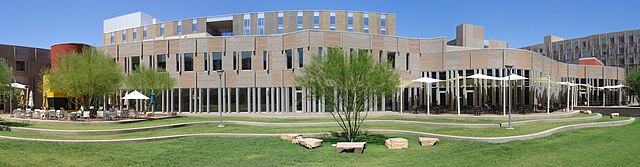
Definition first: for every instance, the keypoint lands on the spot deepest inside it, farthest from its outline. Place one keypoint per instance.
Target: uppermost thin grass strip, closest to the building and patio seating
(281, 120)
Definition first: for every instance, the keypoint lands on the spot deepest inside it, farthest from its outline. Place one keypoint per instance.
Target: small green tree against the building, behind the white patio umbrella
(148, 79)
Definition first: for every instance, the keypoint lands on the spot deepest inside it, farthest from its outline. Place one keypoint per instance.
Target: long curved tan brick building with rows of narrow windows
(260, 53)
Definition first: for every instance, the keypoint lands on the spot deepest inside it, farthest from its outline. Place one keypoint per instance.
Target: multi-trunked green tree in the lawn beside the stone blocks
(348, 85)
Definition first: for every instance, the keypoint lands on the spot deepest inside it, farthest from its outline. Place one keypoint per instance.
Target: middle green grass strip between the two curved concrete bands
(481, 132)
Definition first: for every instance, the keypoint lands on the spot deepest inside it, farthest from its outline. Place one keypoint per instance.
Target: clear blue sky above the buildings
(521, 23)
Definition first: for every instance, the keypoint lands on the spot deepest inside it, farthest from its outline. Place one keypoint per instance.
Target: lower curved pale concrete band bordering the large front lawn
(450, 137)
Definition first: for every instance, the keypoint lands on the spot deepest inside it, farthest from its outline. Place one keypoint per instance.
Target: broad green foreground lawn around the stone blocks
(610, 146)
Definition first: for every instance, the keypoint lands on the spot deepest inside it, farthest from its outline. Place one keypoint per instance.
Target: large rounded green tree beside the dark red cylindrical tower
(85, 76)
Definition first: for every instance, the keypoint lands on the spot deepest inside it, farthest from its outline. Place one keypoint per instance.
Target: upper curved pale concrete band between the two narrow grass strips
(271, 124)
